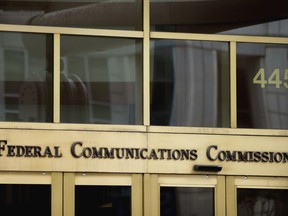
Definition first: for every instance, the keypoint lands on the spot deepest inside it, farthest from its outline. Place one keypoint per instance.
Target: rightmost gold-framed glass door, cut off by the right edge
(255, 196)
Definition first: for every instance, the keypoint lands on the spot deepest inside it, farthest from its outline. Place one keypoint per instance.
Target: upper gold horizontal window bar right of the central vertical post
(216, 37)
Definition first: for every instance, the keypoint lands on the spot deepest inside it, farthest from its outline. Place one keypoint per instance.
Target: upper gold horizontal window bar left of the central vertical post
(71, 31)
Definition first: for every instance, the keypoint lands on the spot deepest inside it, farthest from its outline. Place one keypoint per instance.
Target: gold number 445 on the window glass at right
(274, 78)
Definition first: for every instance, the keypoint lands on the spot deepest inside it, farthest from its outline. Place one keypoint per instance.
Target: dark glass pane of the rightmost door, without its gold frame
(262, 202)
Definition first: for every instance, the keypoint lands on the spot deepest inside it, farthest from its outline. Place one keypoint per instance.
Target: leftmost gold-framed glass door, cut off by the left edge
(26, 193)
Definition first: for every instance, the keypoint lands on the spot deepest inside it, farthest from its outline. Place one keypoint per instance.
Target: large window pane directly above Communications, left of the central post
(101, 80)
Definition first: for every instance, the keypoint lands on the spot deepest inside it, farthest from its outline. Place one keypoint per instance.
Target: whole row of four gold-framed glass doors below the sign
(75, 194)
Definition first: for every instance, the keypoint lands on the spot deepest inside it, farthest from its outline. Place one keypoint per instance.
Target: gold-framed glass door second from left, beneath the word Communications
(102, 194)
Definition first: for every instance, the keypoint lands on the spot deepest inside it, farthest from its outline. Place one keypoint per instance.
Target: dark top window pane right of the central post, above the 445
(253, 17)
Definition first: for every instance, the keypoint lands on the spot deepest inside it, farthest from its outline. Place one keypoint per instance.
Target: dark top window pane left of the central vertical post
(112, 14)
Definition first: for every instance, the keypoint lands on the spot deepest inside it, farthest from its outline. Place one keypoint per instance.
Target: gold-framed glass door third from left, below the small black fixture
(184, 195)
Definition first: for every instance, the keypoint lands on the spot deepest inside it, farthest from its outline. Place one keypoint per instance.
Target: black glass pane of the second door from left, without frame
(103, 200)
